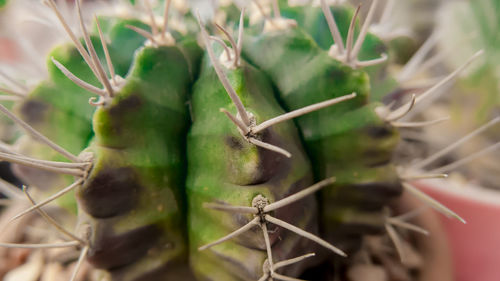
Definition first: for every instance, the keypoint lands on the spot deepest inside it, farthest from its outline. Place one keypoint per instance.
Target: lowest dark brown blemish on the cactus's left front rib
(110, 250)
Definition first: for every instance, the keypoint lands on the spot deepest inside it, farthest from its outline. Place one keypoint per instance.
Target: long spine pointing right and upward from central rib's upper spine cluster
(299, 112)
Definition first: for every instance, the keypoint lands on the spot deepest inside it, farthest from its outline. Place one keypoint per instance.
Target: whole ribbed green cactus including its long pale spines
(189, 165)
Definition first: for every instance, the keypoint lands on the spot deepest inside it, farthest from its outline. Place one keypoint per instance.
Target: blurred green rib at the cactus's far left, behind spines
(58, 100)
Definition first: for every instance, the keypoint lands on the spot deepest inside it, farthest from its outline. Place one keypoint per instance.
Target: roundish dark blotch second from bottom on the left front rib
(109, 192)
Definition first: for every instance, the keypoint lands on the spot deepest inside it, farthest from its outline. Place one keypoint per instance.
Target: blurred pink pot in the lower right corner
(475, 246)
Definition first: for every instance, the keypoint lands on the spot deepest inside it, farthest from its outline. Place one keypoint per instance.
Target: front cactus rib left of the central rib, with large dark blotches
(133, 196)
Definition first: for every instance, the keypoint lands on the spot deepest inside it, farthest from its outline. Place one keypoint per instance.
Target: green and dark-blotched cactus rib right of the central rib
(348, 140)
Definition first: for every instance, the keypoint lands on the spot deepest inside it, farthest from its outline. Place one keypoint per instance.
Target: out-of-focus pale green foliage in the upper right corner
(466, 27)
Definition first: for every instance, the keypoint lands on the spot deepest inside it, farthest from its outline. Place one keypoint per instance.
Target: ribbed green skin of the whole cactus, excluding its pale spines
(141, 203)
